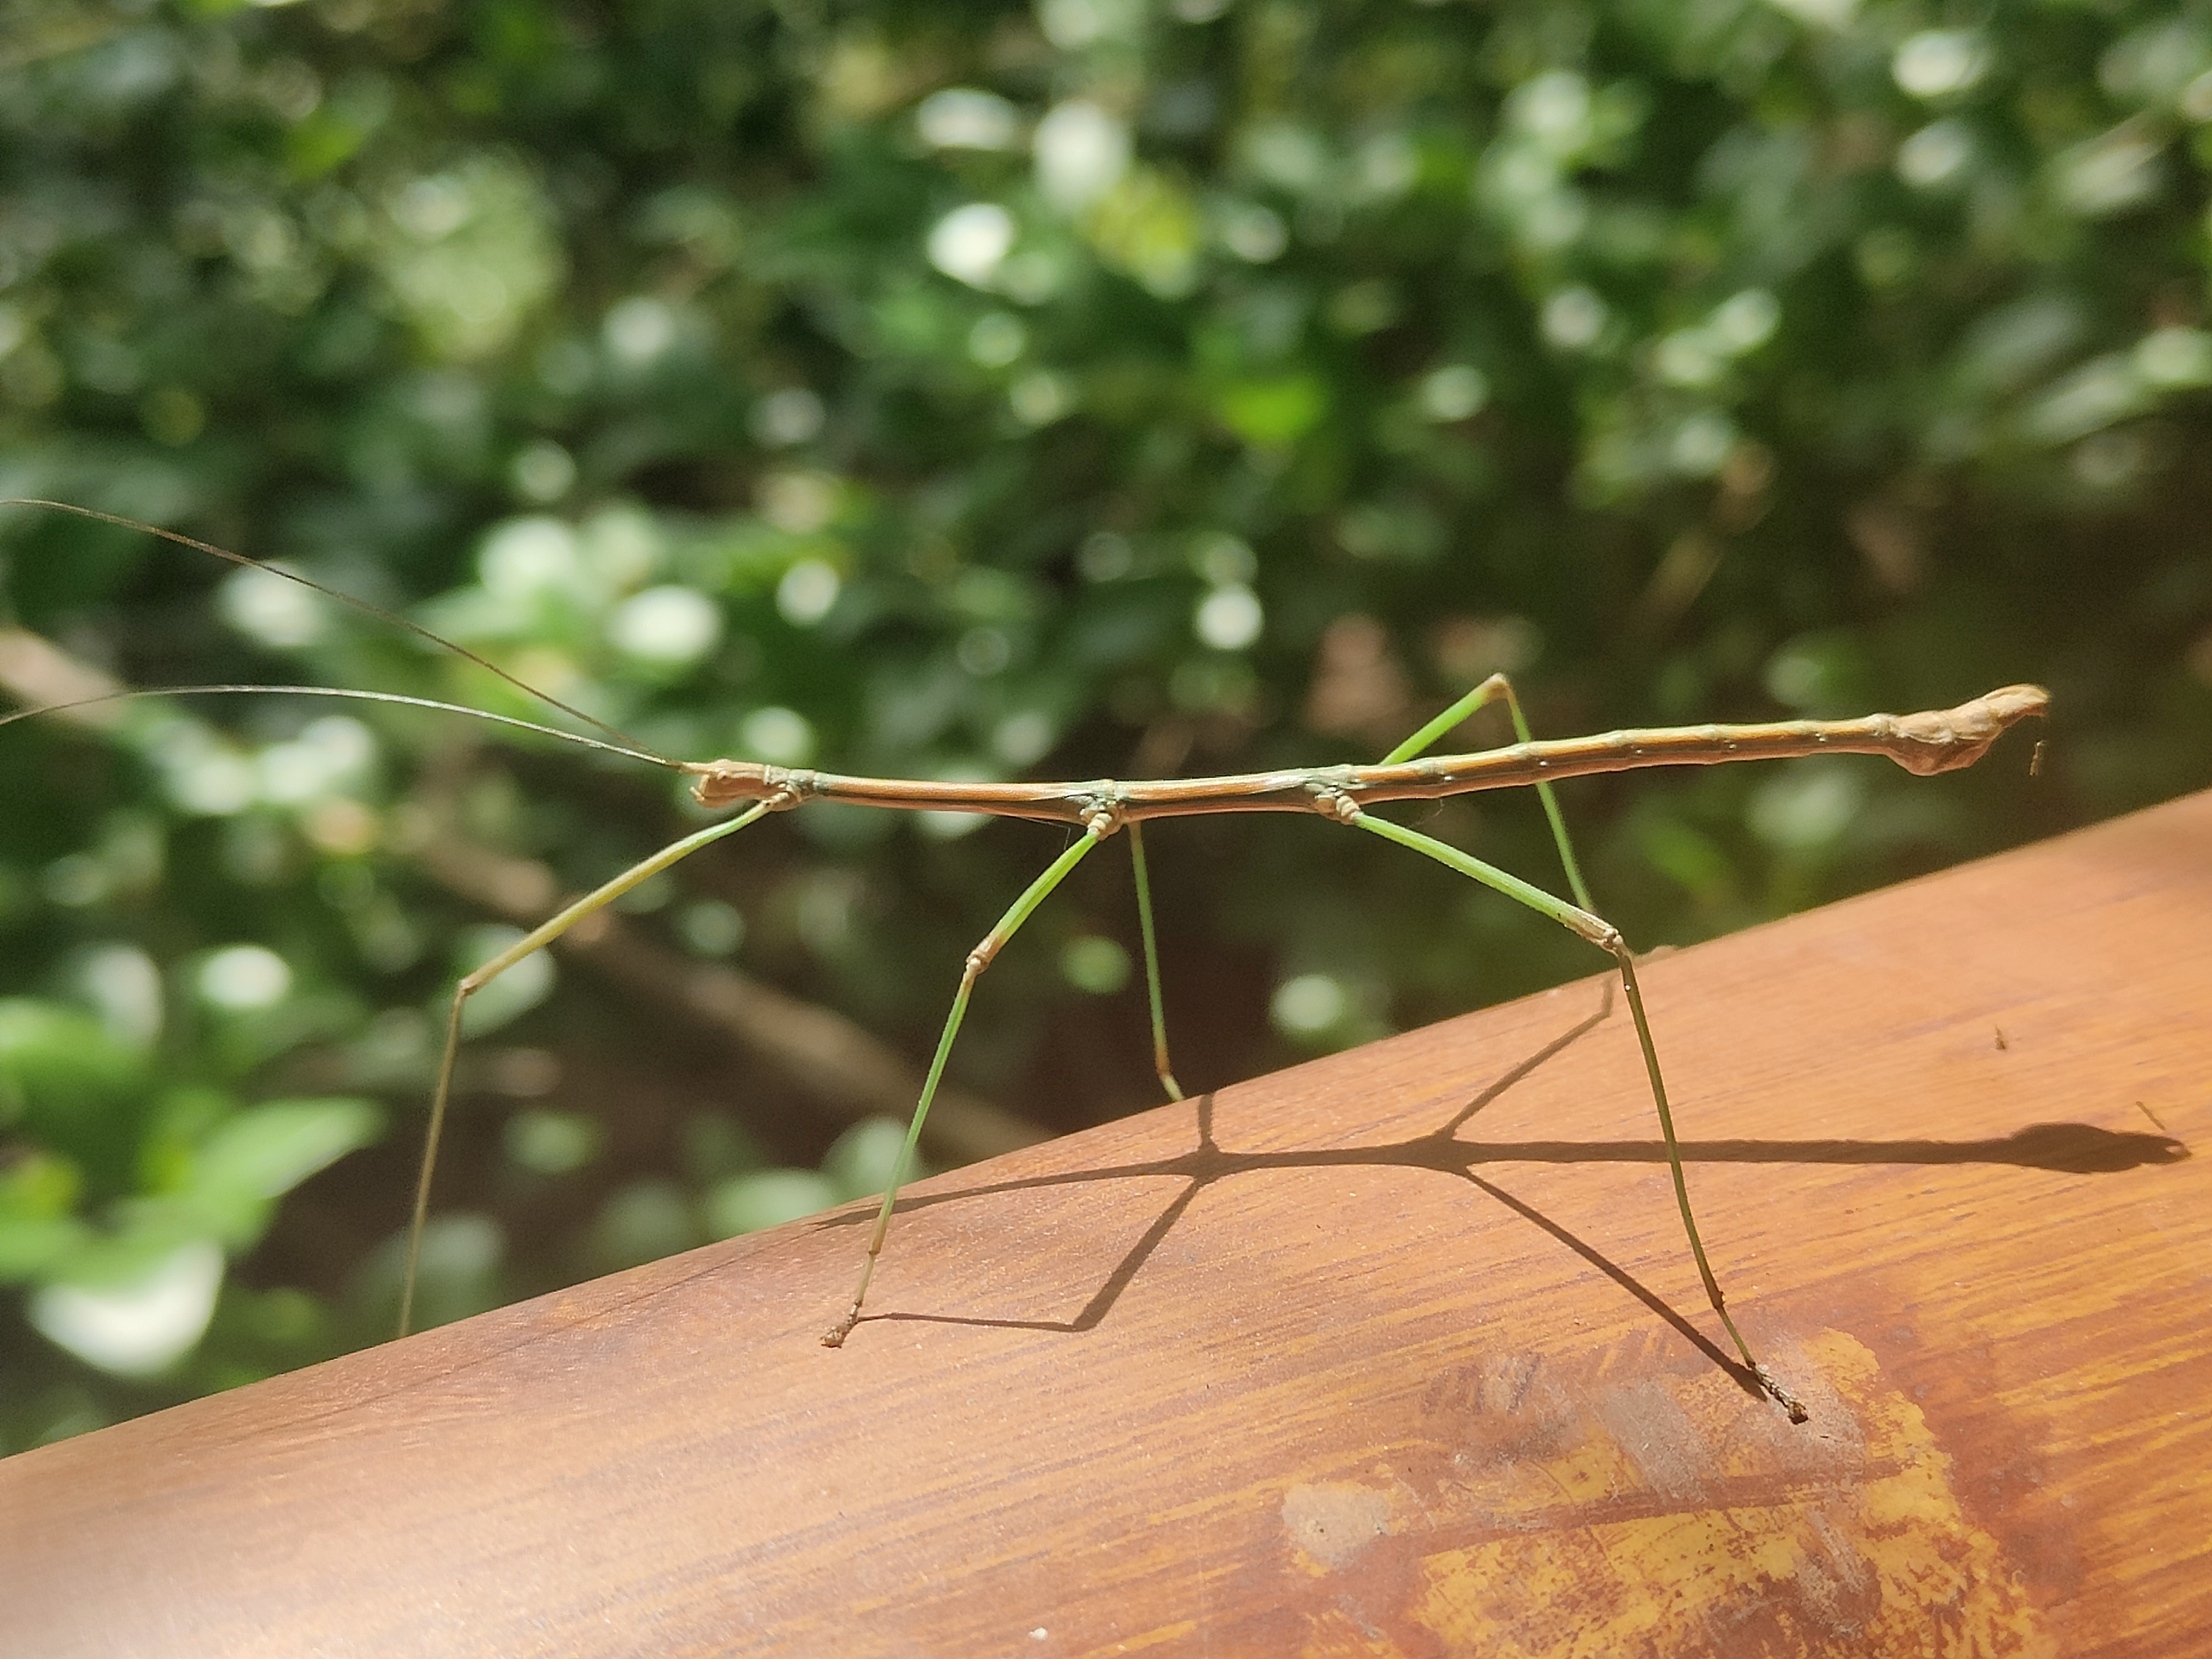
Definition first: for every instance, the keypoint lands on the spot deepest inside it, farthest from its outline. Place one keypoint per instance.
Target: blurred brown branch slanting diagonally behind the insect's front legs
(846, 1072)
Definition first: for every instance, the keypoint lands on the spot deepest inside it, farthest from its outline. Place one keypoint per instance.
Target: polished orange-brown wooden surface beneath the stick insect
(1295, 1370)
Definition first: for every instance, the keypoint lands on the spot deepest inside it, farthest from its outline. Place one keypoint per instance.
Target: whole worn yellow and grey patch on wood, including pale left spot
(1607, 1510)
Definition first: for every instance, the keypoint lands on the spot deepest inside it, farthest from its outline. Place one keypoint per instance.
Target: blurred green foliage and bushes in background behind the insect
(974, 390)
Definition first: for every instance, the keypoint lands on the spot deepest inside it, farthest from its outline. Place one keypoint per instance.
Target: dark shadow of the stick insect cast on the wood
(2072, 1149)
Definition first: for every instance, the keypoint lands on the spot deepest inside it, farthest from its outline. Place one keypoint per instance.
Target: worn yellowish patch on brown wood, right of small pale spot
(1682, 1525)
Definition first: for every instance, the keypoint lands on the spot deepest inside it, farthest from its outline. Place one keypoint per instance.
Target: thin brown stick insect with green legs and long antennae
(1100, 808)
